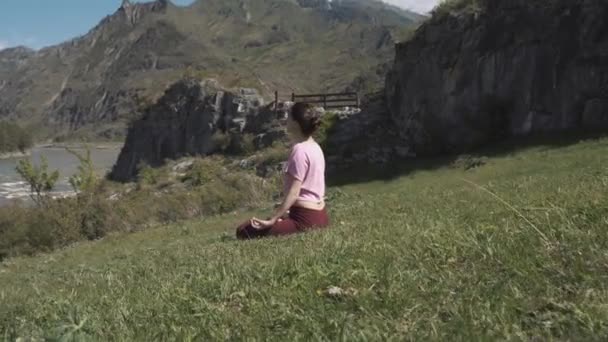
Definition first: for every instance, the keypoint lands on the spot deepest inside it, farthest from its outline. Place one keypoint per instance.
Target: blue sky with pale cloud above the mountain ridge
(39, 23)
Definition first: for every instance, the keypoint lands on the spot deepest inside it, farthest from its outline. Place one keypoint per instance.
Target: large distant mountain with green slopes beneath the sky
(96, 83)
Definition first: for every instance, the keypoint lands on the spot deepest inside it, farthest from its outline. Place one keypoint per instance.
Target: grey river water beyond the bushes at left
(12, 187)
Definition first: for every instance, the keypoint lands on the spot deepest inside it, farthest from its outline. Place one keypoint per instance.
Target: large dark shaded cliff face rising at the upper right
(505, 68)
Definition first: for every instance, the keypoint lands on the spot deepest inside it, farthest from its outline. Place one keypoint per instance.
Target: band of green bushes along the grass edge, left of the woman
(209, 187)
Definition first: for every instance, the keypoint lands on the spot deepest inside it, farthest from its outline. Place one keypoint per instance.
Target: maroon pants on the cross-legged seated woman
(299, 220)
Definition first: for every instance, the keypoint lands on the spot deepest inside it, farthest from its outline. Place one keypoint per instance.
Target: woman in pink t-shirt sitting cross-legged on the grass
(304, 183)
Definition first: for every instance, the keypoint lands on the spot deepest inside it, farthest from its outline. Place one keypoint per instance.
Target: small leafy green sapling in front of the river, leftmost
(39, 179)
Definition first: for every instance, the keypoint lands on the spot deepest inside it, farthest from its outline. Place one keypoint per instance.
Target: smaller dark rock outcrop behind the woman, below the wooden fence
(188, 119)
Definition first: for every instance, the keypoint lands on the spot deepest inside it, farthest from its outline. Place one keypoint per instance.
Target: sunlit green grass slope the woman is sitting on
(428, 255)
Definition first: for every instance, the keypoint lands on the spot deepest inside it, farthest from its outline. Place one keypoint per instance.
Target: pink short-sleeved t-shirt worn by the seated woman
(307, 164)
